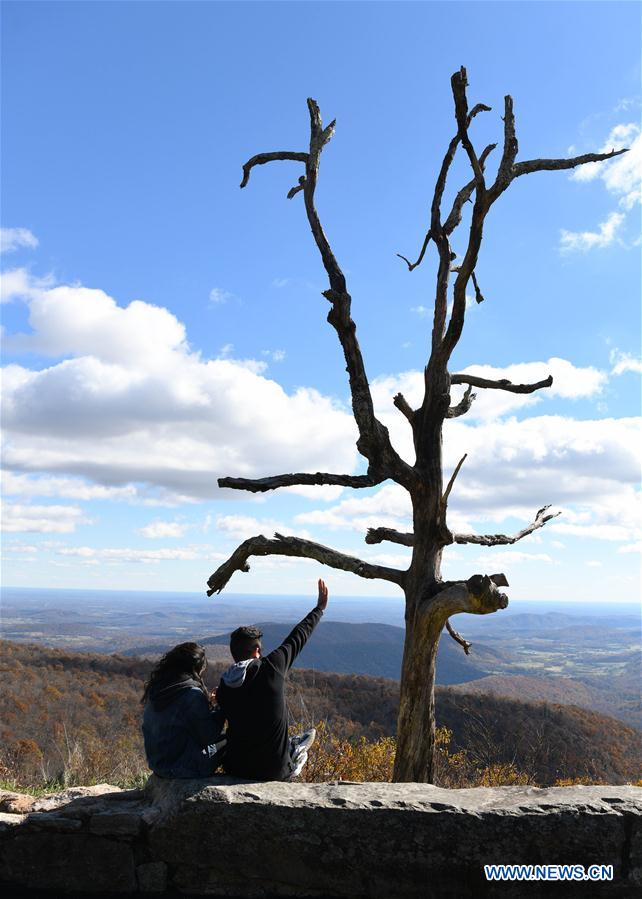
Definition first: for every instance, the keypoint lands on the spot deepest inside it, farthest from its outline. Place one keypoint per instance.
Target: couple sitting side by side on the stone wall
(183, 723)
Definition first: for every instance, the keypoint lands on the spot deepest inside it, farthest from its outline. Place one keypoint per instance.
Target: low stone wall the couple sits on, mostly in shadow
(222, 837)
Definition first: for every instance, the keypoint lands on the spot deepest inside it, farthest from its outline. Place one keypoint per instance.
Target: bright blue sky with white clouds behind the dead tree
(163, 328)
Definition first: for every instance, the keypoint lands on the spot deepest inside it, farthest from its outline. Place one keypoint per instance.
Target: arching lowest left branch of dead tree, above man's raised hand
(305, 549)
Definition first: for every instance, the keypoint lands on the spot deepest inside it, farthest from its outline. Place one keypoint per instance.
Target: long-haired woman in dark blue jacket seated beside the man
(182, 731)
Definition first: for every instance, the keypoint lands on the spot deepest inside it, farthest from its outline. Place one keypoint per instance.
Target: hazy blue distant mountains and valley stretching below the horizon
(572, 653)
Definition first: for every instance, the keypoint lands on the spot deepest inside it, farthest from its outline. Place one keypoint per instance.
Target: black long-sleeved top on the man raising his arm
(257, 724)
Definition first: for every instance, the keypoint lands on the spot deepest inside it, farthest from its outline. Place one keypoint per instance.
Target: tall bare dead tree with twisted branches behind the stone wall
(430, 601)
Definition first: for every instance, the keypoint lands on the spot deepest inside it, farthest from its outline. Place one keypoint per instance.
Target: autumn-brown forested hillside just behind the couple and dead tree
(75, 717)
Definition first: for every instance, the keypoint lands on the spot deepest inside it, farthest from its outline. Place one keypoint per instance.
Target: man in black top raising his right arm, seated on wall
(251, 695)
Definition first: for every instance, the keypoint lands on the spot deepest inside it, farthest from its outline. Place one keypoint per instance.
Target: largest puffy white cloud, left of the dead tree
(126, 401)
